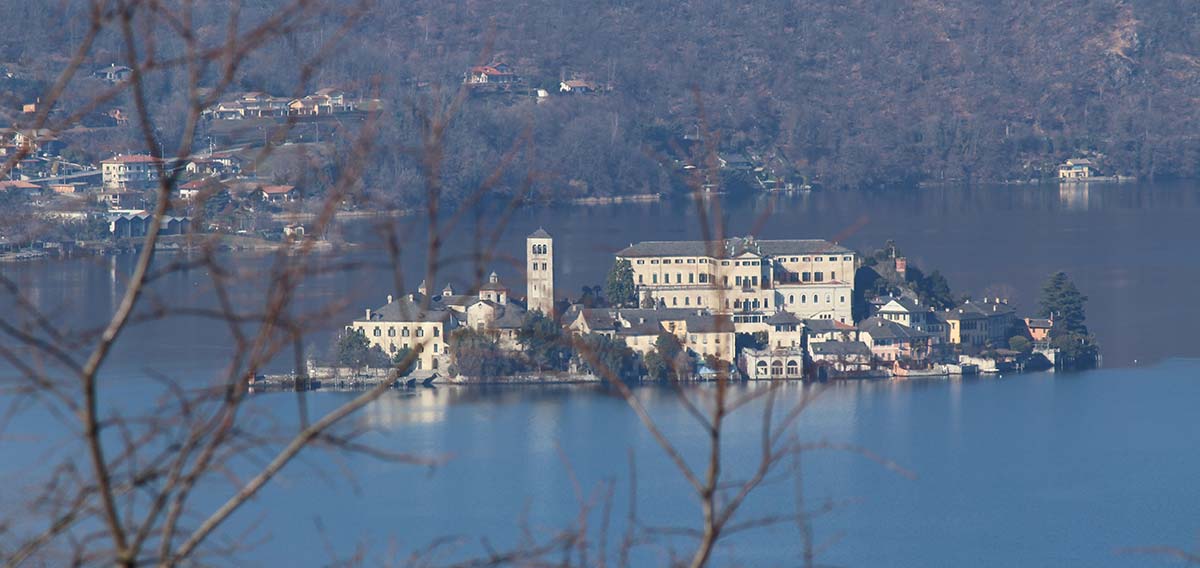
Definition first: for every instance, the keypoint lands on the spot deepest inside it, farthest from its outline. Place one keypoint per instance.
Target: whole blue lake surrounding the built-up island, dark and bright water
(1035, 470)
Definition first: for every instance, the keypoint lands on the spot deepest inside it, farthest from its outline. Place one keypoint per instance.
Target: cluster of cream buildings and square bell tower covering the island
(771, 309)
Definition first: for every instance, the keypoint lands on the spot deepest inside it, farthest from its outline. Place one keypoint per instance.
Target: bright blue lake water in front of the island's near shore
(1036, 470)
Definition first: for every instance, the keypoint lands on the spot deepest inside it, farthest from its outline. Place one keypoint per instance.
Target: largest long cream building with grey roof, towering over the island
(747, 278)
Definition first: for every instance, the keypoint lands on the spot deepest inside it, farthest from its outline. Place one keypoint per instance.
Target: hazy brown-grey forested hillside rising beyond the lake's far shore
(848, 93)
